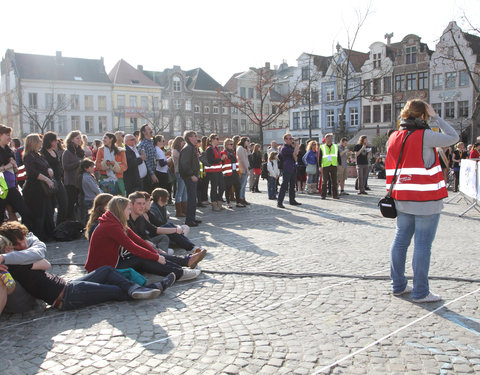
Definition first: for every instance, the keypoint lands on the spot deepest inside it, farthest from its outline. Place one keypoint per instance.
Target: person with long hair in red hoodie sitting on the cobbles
(114, 244)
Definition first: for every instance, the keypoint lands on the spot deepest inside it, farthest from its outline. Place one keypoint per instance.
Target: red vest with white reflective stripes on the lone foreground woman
(414, 182)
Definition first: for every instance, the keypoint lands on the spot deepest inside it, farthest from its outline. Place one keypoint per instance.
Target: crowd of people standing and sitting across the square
(119, 188)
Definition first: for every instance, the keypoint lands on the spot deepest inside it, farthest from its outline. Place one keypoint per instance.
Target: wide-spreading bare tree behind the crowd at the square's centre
(267, 104)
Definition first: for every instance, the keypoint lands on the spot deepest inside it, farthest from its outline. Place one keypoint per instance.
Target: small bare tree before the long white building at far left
(43, 118)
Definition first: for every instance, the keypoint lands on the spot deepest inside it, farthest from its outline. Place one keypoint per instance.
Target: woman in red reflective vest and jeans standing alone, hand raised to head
(418, 192)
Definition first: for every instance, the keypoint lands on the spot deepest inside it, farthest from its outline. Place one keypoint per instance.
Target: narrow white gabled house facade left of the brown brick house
(377, 73)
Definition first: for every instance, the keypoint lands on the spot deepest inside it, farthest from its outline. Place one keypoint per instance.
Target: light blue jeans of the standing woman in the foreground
(424, 227)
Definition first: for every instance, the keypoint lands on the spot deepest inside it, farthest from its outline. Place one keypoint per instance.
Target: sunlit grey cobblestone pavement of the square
(231, 323)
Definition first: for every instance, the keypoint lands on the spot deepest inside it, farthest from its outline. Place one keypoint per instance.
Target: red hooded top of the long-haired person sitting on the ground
(107, 239)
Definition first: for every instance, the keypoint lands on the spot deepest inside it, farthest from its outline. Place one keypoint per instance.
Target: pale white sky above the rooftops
(221, 36)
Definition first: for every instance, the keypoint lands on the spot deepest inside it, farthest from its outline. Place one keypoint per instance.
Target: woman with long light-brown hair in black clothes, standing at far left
(37, 197)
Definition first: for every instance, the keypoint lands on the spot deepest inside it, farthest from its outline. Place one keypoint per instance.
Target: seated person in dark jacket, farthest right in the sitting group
(156, 210)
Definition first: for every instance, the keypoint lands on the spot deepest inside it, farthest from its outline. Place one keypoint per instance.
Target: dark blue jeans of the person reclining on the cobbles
(102, 285)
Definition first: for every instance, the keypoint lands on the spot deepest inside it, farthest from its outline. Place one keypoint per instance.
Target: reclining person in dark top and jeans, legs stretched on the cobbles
(102, 285)
